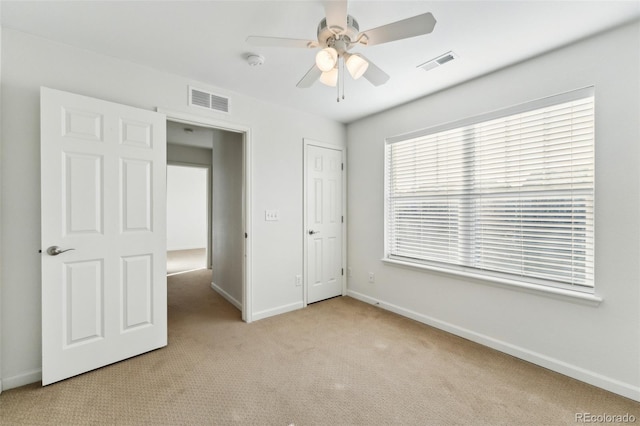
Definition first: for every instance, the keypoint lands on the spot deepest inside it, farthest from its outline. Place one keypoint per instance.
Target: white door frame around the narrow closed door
(305, 250)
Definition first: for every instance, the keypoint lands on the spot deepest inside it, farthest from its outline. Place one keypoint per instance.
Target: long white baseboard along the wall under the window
(625, 389)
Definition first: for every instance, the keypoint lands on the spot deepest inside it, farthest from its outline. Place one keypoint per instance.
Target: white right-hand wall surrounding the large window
(597, 344)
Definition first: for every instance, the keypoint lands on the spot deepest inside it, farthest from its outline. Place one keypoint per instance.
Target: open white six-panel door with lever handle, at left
(103, 168)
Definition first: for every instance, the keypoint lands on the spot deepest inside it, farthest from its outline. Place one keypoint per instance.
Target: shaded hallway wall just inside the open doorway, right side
(228, 228)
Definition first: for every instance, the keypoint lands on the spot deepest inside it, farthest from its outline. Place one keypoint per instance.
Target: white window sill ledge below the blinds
(559, 293)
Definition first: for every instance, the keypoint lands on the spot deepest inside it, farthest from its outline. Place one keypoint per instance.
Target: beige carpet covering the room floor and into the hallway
(338, 362)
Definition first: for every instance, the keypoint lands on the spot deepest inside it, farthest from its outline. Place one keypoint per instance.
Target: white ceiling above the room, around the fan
(205, 41)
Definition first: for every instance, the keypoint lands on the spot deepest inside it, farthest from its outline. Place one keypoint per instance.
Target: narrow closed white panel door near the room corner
(324, 223)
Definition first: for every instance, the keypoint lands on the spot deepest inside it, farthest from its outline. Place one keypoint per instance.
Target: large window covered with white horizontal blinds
(509, 194)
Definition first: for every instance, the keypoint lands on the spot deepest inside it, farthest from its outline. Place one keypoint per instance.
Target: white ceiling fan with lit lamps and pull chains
(337, 34)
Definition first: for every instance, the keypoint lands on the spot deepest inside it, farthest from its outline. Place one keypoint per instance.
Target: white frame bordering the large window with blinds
(584, 293)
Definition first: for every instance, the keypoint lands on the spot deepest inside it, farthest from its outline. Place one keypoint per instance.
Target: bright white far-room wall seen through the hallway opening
(186, 207)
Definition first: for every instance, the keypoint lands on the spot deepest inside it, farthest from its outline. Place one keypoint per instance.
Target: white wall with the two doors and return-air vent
(277, 133)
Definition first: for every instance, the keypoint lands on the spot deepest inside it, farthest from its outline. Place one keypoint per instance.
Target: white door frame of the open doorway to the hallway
(198, 120)
